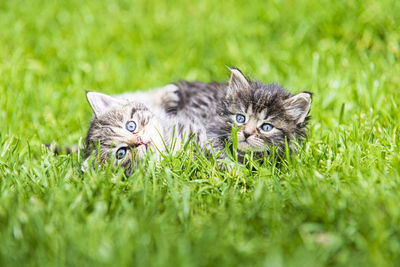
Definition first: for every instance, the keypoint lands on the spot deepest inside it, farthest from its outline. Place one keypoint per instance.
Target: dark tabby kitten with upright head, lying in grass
(267, 114)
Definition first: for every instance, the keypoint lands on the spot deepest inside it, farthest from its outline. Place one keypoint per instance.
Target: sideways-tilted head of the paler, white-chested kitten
(120, 131)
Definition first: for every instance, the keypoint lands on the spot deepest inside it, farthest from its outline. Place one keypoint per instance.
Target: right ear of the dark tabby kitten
(298, 106)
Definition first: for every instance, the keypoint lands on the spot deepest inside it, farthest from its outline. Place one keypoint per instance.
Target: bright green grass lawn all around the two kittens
(335, 203)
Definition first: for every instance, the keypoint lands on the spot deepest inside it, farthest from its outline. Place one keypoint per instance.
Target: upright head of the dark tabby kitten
(266, 113)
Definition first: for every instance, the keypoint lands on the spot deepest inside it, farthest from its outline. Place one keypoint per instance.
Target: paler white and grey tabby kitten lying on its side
(123, 131)
